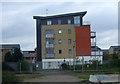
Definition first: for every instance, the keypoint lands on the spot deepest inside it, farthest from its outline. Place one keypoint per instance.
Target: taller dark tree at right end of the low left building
(17, 55)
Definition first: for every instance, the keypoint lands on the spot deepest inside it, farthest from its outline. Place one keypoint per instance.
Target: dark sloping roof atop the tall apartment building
(60, 15)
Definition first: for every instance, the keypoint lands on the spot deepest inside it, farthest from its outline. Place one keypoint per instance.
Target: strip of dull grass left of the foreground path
(22, 77)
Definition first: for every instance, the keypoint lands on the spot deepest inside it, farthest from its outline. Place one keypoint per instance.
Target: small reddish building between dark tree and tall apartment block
(29, 56)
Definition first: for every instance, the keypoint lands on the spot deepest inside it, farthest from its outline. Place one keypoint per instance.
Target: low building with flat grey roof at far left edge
(4, 48)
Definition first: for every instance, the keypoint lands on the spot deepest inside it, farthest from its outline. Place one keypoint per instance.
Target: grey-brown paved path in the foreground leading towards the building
(55, 76)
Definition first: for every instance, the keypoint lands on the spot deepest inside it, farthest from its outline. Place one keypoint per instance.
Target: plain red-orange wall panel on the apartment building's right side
(83, 45)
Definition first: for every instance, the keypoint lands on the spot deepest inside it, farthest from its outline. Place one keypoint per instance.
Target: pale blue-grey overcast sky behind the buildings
(18, 25)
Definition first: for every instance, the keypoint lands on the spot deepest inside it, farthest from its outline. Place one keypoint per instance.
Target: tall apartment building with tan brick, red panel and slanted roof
(64, 37)
